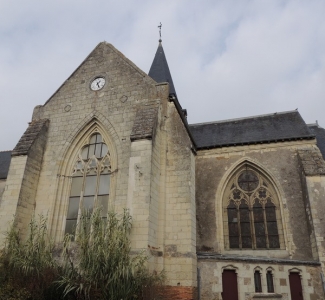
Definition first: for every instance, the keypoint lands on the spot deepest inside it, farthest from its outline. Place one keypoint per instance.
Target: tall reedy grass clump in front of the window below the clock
(100, 266)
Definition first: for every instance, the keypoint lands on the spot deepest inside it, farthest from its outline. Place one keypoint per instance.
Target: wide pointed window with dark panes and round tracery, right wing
(252, 209)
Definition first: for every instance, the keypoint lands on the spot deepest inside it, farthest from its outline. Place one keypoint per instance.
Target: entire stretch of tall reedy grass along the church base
(97, 265)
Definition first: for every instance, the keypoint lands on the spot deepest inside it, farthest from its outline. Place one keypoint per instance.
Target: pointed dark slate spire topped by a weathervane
(159, 70)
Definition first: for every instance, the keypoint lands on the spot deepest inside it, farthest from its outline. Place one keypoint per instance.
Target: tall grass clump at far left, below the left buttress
(28, 266)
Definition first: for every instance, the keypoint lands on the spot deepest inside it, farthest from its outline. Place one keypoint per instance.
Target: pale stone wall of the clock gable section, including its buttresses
(153, 169)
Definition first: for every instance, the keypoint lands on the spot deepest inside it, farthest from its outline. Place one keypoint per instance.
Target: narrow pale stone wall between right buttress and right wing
(180, 228)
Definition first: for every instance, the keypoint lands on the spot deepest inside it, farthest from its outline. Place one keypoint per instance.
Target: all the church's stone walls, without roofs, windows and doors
(175, 190)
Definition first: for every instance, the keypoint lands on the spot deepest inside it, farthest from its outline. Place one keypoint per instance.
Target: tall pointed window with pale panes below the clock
(90, 184)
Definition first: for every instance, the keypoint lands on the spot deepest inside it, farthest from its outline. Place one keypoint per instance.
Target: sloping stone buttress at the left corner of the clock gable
(18, 201)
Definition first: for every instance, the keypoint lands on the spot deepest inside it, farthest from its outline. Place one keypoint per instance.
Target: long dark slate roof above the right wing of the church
(258, 129)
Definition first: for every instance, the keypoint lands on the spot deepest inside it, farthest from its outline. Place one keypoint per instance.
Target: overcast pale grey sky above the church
(228, 58)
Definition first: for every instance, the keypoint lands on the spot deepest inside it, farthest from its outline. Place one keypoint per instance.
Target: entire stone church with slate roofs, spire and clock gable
(231, 210)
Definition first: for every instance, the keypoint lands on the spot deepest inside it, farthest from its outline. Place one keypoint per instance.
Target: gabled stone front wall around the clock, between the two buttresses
(75, 111)
